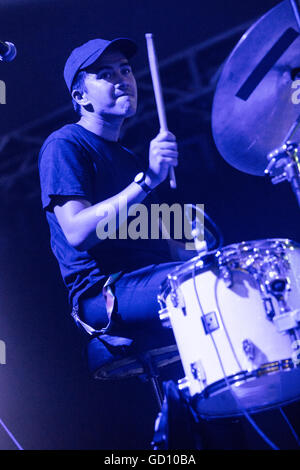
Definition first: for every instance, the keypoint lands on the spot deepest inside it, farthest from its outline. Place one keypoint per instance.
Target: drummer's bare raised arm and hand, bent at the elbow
(79, 219)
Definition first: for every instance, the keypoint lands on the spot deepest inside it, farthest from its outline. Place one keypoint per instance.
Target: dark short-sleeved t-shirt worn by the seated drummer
(76, 162)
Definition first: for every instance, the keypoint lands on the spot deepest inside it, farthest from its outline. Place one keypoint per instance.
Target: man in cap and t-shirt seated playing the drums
(84, 169)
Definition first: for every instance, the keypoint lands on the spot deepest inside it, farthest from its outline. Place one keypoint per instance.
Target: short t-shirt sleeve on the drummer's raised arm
(65, 170)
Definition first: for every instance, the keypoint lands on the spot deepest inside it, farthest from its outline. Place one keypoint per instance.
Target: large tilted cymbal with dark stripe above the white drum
(255, 106)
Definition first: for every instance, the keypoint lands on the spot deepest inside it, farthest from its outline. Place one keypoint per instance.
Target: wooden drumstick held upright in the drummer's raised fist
(158, 95)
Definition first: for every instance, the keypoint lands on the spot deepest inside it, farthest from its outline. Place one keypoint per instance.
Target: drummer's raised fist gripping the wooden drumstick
(163, 154)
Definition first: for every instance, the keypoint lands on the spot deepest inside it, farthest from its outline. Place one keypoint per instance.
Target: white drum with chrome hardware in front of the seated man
(235, 314)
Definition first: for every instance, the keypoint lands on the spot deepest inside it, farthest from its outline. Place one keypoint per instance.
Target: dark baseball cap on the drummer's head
(89, 52)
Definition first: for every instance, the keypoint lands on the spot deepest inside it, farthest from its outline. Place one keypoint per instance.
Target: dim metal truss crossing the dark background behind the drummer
(188, 78)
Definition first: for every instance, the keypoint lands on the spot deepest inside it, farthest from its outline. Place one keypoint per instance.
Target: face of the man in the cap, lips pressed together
(110, 86)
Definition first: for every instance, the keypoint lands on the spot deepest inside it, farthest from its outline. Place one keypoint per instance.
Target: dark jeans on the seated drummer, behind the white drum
(137, 312)
